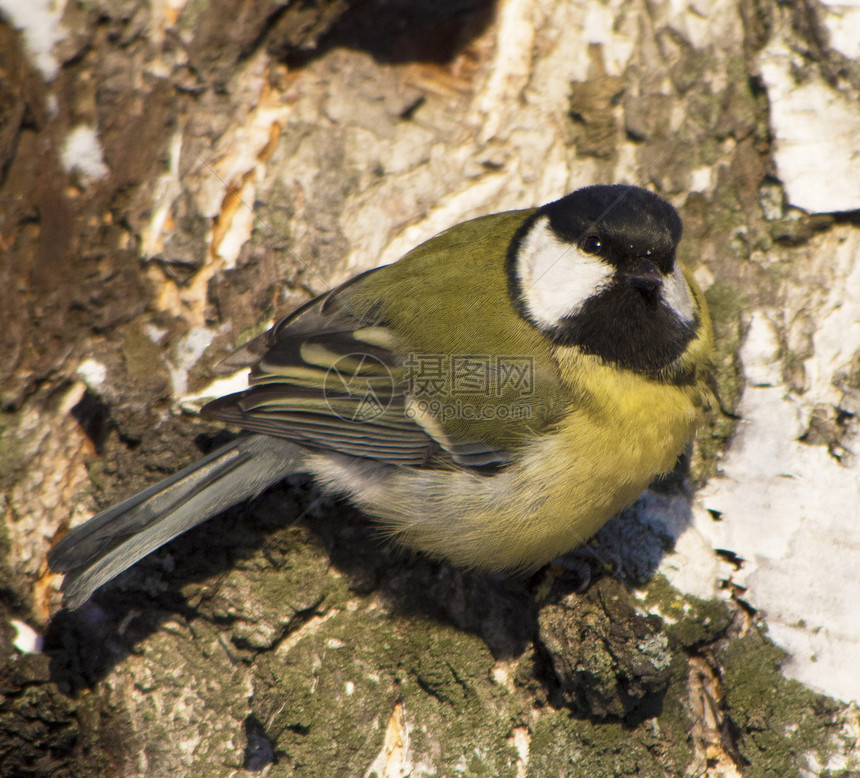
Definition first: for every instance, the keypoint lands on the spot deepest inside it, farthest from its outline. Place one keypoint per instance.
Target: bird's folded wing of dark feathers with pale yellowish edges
(330, 378)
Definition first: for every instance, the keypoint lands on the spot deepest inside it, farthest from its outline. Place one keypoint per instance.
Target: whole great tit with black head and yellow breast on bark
(492, 398)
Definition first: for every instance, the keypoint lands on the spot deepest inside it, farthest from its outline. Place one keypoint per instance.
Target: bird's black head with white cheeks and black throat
(596, 269)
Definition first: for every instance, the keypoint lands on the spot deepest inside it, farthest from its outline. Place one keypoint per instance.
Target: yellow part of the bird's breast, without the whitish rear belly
(623, 430)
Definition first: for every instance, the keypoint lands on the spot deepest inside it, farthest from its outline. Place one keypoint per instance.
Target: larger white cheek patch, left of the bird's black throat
(556, 278)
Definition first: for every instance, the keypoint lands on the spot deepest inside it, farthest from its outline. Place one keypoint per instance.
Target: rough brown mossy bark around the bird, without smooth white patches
(250, 154)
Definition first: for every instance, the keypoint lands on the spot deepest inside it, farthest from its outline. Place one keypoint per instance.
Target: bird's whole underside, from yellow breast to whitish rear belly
(620, 432)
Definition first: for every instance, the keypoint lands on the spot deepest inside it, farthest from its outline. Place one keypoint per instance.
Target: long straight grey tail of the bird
(113, 540)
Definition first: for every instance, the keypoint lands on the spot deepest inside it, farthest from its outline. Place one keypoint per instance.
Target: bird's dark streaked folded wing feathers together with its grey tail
(361, 411)
